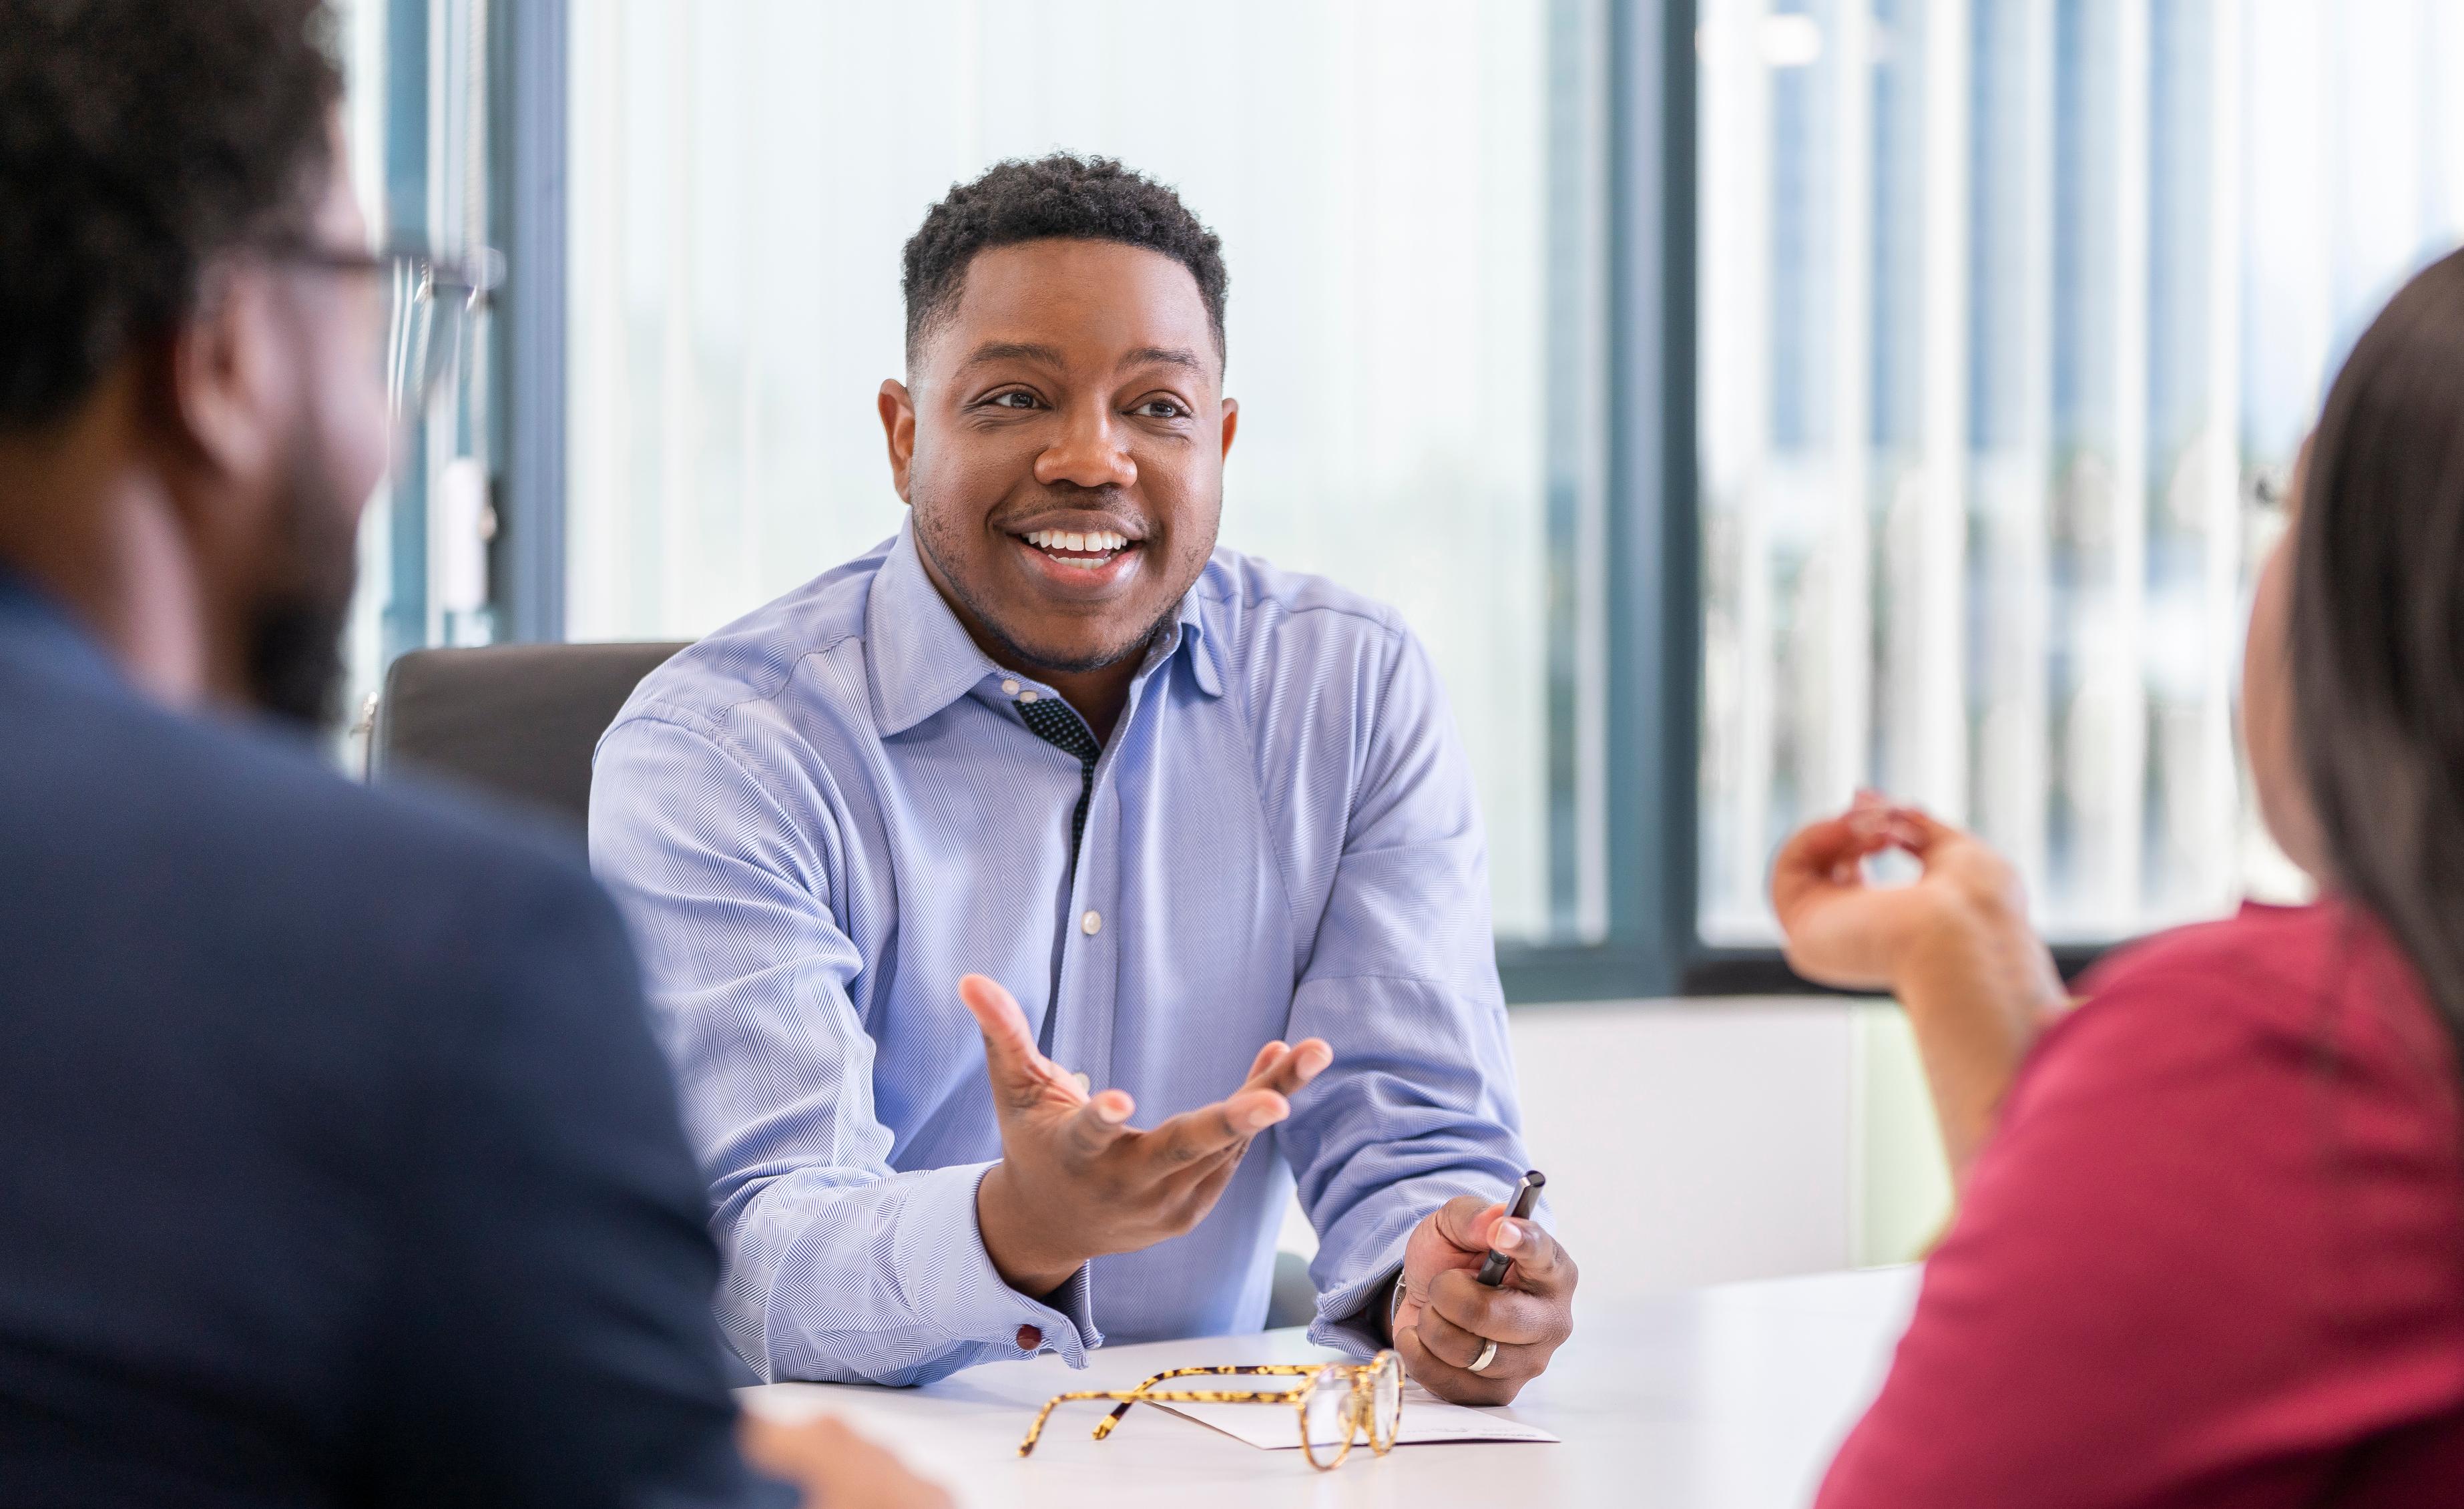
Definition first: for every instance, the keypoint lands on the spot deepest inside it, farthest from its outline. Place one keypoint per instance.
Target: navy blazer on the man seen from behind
(336, 1158)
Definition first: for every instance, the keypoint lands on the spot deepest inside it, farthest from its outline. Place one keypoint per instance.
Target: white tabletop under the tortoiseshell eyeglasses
(1714, 1399)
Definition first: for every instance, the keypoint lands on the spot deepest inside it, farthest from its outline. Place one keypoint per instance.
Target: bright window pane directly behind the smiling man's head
(1413, 213)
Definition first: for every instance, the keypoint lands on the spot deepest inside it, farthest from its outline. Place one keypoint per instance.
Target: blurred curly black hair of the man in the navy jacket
(139, 142)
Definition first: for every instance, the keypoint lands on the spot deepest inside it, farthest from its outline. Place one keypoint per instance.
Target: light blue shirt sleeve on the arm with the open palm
(837, 1266)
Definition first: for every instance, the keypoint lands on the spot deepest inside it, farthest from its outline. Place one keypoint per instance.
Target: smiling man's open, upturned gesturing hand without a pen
(1076, 1180)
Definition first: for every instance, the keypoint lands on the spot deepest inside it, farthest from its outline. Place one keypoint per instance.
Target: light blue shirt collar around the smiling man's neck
(925, 660)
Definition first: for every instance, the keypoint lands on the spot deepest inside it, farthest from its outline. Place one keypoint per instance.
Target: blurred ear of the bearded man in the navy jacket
(225, 381)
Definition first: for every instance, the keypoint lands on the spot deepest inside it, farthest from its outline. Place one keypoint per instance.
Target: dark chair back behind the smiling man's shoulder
(514, 719)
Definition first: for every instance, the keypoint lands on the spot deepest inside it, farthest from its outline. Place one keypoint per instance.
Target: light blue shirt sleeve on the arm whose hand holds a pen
(1403, 983)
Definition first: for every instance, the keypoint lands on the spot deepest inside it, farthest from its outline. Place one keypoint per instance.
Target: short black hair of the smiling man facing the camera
(1056, 198)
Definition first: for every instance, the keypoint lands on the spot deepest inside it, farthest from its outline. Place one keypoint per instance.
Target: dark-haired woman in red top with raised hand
(2211, 1217)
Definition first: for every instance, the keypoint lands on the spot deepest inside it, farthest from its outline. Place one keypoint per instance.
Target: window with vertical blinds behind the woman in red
(2004, 312)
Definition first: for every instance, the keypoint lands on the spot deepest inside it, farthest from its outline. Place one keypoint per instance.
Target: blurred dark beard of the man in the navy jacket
(297, 625)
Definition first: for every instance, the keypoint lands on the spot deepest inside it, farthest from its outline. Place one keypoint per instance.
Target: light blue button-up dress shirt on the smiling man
(824, 815)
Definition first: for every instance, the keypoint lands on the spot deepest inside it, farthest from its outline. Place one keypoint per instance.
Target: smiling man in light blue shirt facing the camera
(1046, 817)
